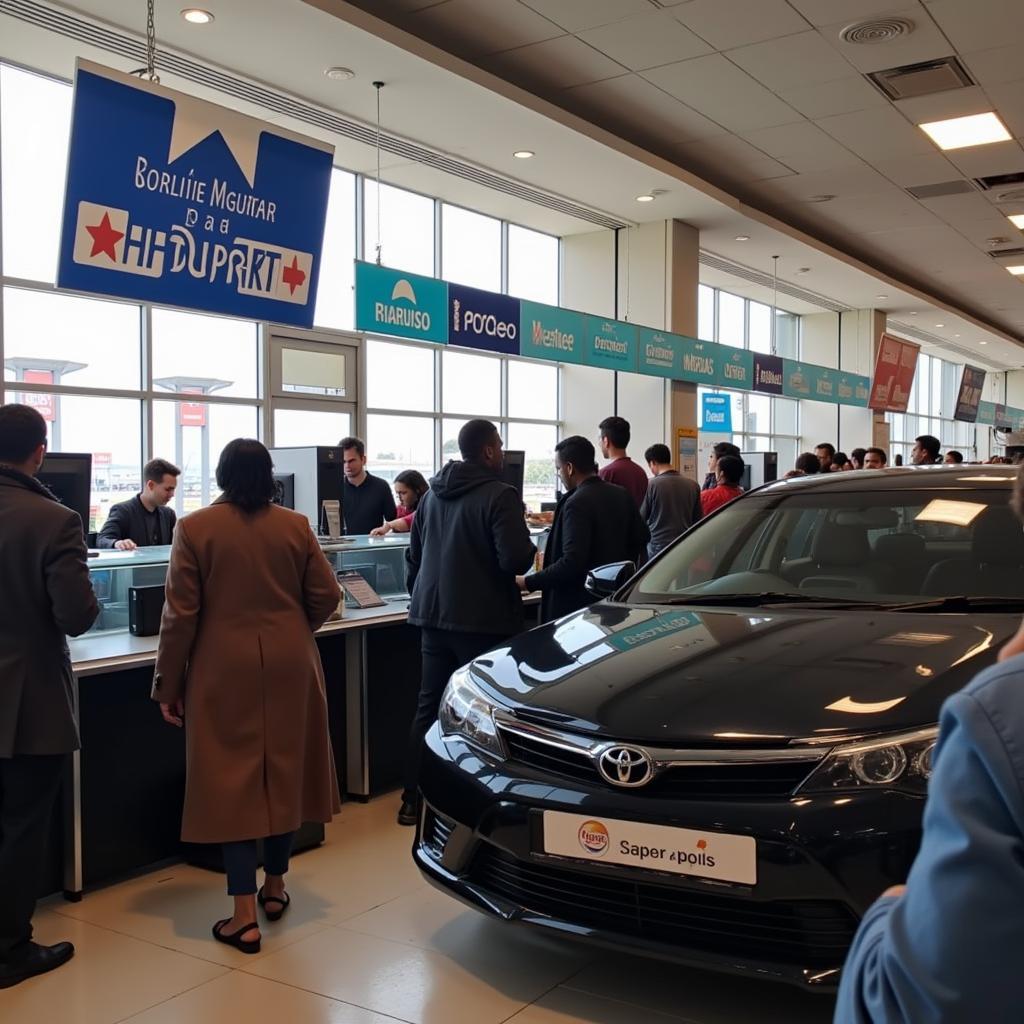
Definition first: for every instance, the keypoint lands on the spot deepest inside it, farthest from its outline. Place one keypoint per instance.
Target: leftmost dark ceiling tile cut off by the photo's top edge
(475, 27)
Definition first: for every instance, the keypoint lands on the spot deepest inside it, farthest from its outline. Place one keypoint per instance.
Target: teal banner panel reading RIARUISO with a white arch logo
(394, 303)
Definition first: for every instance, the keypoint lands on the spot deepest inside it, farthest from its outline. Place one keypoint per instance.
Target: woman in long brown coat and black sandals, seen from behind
(247, 587)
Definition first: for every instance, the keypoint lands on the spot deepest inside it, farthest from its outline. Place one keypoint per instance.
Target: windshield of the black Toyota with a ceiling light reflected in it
(824, 545)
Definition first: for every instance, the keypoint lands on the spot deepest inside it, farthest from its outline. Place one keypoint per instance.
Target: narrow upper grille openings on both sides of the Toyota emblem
(757, 780)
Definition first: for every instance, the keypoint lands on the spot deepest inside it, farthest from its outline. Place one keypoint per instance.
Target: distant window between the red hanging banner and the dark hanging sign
(930, 411)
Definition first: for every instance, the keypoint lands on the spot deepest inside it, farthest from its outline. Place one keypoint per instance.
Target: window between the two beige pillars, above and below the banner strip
(760, 422)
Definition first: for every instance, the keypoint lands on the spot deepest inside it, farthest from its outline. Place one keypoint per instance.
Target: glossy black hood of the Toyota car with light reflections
(753, 676)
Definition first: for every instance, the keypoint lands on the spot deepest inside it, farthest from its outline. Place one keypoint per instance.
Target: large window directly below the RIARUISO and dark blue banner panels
(520, 396)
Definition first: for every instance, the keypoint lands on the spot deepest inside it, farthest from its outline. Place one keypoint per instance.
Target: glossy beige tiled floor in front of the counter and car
(365, 943)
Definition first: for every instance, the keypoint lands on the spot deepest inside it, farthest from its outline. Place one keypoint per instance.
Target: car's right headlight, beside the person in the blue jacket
(895, 762)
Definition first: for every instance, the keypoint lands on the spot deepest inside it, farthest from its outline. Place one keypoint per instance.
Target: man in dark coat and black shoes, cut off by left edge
(47, 595)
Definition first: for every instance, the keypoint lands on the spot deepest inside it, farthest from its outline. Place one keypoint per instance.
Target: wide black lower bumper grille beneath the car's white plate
(802, 933)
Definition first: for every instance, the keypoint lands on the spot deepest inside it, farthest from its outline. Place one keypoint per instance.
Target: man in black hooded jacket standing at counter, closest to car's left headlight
(468, 543)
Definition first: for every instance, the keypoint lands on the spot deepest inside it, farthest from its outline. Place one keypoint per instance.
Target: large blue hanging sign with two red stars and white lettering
(175, 200)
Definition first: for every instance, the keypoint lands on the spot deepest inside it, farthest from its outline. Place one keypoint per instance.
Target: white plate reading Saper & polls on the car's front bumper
(659, 848)
